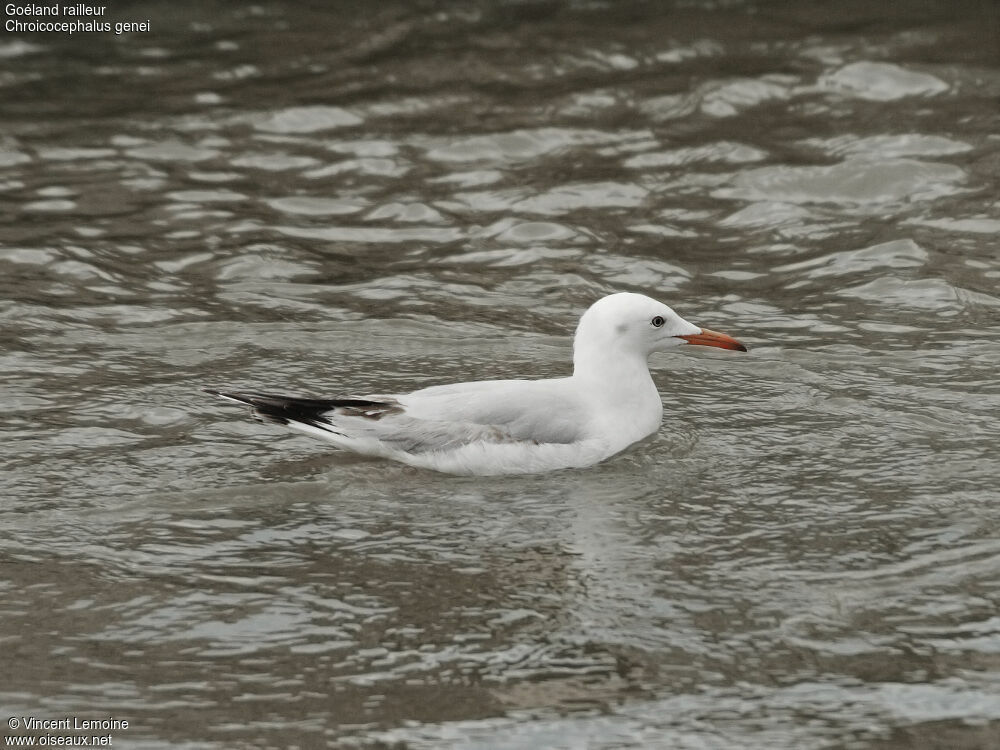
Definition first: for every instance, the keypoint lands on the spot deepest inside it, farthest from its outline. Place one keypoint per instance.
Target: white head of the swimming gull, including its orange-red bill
(628, 323)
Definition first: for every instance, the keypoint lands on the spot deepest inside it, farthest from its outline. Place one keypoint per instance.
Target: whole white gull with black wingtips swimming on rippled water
(493, 427)
